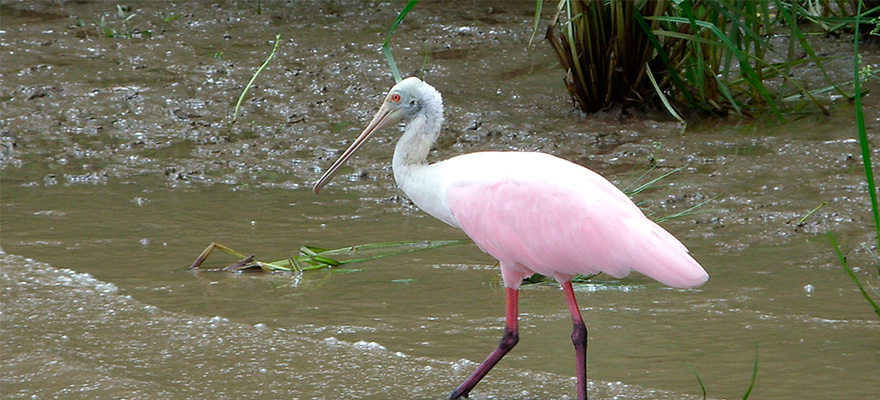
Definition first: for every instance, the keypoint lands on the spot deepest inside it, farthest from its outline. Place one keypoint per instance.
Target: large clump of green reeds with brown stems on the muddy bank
(712, 56)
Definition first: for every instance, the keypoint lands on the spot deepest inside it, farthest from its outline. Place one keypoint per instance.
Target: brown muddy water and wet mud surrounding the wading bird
(118, 168)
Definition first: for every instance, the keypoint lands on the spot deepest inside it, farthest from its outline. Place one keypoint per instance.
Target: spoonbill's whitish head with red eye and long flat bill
(404, 101)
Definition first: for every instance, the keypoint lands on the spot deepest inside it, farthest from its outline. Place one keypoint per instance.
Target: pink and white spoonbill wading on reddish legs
(534, 212)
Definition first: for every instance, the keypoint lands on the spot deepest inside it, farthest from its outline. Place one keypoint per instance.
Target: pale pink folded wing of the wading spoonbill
(563, 229)
